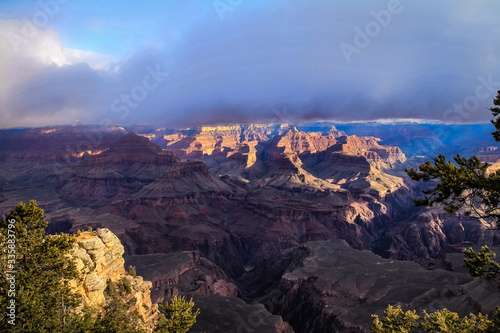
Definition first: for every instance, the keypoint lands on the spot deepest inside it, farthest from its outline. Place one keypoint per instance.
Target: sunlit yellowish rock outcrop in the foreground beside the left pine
(98, 257)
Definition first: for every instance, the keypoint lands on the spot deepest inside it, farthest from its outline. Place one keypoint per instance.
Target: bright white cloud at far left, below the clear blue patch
(28, 58)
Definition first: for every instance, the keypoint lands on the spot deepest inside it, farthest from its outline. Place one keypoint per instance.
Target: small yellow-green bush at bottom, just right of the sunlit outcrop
(181, 316)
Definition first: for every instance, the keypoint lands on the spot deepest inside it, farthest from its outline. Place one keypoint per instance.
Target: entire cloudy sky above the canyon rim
(186, 63)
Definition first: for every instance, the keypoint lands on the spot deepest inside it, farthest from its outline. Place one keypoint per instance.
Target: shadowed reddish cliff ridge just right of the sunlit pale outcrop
(190, 275)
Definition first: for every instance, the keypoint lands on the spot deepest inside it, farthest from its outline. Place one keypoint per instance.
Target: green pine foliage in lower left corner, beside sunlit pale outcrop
(44, 300)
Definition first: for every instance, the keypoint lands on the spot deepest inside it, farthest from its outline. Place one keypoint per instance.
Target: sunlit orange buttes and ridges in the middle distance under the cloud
(285, 157)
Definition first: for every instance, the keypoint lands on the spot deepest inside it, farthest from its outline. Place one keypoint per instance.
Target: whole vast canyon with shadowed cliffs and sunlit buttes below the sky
(270, 228)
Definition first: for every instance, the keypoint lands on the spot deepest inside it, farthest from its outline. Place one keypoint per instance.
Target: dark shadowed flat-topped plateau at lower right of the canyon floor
(334, 288)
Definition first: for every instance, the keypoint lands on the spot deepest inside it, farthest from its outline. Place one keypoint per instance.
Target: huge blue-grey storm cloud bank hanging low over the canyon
(284, 62)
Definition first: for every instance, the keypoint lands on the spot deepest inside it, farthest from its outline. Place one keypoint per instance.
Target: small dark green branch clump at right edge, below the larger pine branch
(481, 263)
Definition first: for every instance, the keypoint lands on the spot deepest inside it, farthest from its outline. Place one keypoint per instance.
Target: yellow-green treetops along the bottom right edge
(397, 321)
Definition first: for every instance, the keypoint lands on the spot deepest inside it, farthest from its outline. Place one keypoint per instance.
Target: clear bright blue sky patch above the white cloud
(114, 27)
